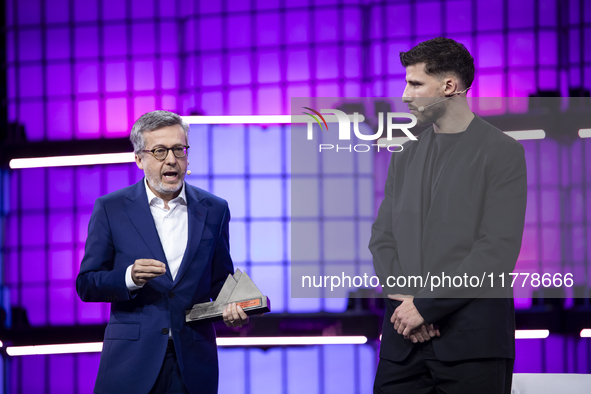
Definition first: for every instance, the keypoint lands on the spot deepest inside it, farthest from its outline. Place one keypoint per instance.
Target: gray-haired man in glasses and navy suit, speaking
(154, 249)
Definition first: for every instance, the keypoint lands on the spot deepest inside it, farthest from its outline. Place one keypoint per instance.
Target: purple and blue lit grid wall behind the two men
(87, 69)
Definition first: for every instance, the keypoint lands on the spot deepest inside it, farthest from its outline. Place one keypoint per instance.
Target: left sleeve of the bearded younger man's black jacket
(382, 244)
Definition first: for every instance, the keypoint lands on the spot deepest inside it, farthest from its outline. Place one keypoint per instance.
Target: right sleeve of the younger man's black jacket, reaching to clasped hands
(499, 239)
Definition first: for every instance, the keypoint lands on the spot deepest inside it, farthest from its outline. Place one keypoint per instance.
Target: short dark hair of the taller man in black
(442, 56)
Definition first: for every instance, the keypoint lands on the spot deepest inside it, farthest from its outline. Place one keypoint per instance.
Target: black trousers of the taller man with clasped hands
(422, 373)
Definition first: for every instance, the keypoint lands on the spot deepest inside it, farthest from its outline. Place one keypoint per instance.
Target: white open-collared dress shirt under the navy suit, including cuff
(173, 229)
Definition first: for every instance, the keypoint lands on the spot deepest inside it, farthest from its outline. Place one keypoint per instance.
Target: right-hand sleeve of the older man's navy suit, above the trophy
(222, 262)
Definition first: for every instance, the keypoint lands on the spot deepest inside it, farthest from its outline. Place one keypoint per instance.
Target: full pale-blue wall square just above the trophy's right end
(266, 241)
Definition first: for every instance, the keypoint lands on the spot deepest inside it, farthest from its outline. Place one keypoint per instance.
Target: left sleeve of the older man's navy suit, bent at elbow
(98, 281)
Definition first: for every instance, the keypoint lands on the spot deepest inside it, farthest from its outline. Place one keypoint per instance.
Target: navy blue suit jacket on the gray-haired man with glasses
(121, 230)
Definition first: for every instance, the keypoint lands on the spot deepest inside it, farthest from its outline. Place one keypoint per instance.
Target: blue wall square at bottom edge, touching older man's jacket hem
(232, 370)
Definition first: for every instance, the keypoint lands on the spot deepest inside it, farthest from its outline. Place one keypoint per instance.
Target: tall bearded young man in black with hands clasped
(454, 204)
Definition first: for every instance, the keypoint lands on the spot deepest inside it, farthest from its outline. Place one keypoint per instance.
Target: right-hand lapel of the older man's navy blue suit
(196, 222)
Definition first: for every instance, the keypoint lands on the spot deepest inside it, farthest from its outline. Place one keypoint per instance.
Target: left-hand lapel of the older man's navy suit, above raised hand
(138, 210)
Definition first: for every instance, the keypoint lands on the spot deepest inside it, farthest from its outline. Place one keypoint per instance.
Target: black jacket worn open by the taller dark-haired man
(475, 225)
